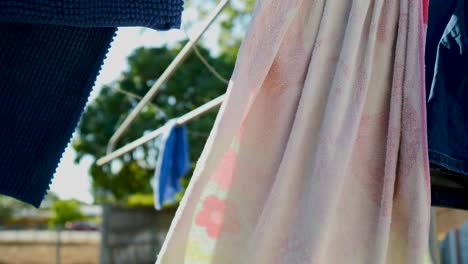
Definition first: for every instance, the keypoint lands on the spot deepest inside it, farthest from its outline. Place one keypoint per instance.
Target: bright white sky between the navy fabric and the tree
(72, 181)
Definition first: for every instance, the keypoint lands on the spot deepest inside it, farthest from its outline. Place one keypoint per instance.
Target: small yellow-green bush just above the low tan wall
(65, 211)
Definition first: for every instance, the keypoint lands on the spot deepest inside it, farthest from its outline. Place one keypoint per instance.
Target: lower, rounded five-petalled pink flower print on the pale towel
(217, 216)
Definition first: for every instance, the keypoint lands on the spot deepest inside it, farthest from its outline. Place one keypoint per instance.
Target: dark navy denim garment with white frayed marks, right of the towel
(447, 107)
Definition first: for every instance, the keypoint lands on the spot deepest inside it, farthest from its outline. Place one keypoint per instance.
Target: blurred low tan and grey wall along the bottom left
(128, 235)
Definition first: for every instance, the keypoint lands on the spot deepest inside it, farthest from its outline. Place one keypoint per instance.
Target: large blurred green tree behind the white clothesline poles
(191, 86)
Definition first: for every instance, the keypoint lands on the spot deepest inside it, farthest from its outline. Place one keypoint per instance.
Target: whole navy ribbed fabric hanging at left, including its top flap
(50, 55)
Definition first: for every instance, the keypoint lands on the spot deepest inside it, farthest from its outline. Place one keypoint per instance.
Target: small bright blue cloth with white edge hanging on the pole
(173, 163)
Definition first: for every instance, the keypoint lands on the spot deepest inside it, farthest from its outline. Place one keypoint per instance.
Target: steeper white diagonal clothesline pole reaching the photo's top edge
(164, 77)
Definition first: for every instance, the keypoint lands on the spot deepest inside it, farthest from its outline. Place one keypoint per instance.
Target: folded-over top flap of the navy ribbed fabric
(156, 14)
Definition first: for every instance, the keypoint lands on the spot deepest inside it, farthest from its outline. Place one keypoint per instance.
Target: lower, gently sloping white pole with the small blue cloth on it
(180, 121)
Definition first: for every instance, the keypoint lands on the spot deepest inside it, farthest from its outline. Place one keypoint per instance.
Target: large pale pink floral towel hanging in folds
(319, 152)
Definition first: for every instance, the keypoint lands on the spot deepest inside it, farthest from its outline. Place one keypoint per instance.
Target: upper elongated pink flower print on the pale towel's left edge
(224, 172)
